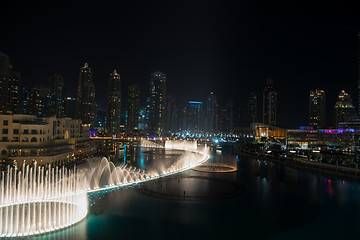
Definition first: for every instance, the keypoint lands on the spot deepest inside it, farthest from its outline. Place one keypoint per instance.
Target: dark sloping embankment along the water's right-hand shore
(337, 171)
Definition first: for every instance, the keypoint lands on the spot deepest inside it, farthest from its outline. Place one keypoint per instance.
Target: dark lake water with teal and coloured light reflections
(262, 200)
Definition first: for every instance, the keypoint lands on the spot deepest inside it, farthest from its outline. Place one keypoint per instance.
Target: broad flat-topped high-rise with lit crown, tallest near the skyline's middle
(157, 101)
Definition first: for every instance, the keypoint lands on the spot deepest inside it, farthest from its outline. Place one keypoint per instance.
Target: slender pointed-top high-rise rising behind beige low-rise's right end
(86, 105)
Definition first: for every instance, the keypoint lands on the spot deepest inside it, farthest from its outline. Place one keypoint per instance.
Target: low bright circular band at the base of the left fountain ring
(39, 217)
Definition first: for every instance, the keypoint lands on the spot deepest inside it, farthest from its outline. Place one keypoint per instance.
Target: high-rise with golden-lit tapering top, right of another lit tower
(344, 109)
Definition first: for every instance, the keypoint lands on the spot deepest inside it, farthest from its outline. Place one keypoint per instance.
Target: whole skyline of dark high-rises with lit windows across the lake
(51, 100)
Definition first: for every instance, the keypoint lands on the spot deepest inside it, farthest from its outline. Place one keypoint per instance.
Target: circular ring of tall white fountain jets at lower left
(37, 200)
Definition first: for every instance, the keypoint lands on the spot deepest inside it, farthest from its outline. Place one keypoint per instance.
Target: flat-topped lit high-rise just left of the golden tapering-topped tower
(317, 109)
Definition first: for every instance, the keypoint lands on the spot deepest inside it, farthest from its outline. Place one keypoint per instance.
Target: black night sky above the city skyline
(226, 47)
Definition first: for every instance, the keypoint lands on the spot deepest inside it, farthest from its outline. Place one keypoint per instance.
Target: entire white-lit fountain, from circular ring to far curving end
(37, 200)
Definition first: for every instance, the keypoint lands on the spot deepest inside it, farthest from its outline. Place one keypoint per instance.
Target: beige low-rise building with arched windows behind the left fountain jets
(28, 138)
